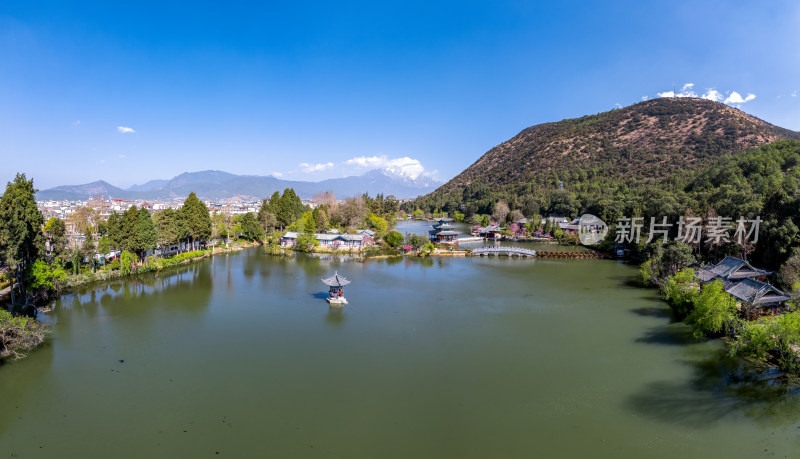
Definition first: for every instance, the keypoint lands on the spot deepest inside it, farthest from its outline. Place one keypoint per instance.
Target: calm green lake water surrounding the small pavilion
(450, 357)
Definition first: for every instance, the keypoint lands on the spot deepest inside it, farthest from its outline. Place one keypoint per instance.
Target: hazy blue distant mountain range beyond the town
(221, 185)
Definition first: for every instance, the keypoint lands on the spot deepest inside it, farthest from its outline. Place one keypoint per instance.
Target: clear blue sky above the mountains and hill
(128, 92)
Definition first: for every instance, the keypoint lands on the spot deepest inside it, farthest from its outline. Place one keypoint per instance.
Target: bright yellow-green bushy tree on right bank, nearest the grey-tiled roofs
(714, 310)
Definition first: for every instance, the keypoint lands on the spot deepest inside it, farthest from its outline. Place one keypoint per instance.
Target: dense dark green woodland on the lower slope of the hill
(761, 182)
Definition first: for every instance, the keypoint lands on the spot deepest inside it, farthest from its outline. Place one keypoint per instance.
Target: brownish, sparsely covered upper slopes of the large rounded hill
(651, 139)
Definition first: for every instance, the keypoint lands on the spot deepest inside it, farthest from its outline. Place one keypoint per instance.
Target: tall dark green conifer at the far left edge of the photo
(21, 238)
